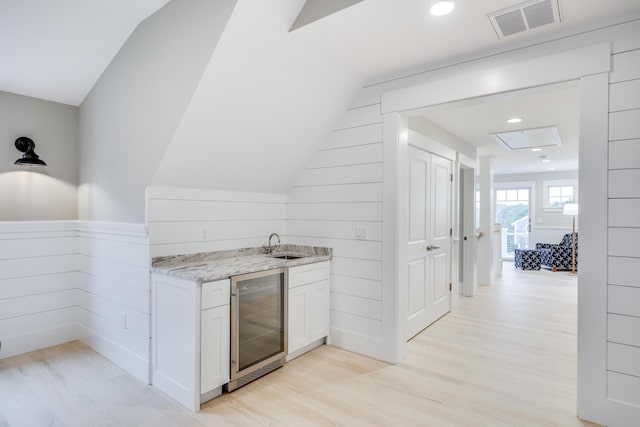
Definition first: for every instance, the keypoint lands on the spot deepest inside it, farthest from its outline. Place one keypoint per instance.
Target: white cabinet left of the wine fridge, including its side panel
(190, 338)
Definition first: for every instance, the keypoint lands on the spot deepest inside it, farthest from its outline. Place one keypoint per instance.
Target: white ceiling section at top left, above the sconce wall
(56, 50)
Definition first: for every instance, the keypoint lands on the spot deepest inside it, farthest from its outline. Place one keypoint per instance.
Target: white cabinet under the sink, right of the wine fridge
(308, 323)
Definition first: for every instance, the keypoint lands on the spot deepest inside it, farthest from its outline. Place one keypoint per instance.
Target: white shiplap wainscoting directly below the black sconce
(38, 289)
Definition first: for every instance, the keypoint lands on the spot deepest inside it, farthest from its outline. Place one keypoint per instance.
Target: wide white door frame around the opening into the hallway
(589, 64)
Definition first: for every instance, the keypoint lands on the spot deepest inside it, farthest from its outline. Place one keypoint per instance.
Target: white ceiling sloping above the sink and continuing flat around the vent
(269, 97)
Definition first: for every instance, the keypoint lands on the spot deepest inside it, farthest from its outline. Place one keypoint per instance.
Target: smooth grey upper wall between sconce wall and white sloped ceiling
(128, 119)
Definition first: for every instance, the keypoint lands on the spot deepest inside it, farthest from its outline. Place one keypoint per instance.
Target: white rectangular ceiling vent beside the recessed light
(525, 16)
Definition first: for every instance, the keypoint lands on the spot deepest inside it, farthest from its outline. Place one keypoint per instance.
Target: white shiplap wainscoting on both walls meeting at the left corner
(68, 280)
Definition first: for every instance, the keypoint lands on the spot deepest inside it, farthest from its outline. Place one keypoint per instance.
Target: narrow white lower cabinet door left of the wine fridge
(214, 348)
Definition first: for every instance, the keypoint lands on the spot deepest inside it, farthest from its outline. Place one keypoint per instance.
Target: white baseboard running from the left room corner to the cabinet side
(125, 359)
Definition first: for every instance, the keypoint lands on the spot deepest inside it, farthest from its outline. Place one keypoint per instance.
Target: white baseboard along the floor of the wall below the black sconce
(19, 344)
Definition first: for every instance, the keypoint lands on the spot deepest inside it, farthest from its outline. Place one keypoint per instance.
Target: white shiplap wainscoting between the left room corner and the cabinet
(114, 293)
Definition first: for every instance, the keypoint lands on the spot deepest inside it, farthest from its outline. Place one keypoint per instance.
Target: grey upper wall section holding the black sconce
(31, 194)
